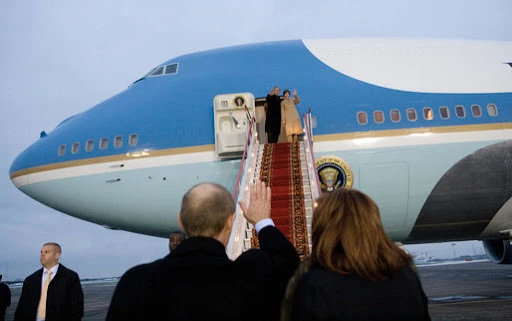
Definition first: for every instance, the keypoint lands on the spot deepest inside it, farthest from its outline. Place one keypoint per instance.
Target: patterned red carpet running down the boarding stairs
(281, 170)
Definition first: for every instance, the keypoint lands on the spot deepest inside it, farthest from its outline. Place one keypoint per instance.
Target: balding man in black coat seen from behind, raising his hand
(198, 281)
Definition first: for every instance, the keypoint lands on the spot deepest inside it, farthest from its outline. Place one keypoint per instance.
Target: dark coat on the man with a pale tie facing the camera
(65, 299)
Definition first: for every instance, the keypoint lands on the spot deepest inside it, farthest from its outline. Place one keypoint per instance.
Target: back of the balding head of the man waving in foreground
(205, 209)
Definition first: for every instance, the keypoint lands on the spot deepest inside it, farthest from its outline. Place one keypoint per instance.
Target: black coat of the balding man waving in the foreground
(198, 281)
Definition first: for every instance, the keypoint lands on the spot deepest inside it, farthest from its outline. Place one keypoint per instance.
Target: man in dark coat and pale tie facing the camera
(53, 293)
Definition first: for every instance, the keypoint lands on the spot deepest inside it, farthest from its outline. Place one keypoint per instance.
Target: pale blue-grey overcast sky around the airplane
(59, 58)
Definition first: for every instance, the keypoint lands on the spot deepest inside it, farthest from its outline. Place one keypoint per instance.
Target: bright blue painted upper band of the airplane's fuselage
(177, 111)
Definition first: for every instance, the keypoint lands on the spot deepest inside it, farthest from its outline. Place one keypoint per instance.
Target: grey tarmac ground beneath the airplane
(466, 291)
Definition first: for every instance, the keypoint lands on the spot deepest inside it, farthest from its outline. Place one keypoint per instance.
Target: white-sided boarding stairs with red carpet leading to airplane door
(289, 169)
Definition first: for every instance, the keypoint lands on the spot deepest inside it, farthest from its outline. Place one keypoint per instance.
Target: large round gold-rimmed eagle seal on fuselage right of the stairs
(333, 172)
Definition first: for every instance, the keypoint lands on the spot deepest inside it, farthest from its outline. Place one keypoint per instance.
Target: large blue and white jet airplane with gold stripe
(423, 126)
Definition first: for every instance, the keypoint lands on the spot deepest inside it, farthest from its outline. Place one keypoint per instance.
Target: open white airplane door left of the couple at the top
(231, 123)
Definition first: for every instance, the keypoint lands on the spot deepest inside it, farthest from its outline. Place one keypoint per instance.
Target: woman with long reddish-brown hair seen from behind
(355, 271)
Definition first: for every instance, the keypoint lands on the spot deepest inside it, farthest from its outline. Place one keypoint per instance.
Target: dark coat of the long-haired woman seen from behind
(326, 295)
